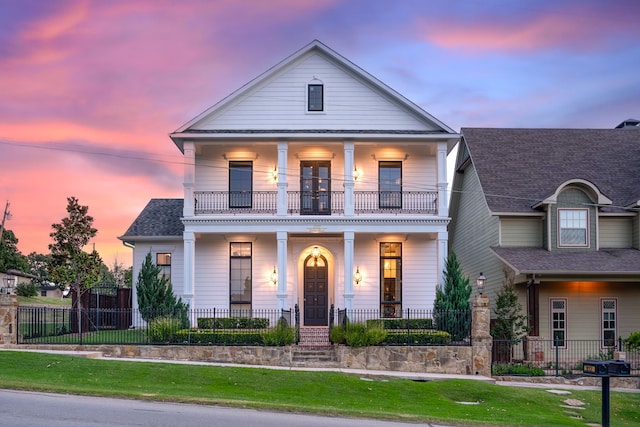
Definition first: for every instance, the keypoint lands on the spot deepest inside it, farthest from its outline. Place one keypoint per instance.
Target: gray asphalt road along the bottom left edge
(32, 409)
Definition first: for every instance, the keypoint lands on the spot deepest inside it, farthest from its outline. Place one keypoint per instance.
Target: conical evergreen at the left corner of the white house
(155, 295)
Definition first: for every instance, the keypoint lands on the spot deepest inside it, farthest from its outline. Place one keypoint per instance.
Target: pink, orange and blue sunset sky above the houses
(89, 90)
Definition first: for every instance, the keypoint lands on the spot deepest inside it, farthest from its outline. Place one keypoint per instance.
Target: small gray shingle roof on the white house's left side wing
(160, 218)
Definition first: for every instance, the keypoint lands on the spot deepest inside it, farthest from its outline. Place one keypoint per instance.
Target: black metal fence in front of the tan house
(558, 358)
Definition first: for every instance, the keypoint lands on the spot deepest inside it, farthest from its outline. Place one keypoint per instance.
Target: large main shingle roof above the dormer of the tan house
(519, 167)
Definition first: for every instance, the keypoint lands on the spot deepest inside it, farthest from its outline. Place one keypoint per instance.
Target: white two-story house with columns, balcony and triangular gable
(315, 184)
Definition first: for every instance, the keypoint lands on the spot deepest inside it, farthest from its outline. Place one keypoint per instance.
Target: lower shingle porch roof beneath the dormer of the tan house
(539, 260)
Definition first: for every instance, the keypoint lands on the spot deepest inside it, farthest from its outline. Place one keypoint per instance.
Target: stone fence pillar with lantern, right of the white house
(481, 340)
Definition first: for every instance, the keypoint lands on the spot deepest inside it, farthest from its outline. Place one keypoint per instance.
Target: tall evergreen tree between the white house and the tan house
(451, 308)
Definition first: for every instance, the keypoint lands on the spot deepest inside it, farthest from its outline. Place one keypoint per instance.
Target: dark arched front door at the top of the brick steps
(316, 292)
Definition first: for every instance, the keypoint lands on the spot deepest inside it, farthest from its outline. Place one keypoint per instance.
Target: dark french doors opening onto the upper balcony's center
(315, 188)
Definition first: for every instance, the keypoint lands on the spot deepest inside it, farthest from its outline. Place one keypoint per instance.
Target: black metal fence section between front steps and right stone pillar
(412, 326)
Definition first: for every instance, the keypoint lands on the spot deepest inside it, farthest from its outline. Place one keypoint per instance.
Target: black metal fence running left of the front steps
(46, 325)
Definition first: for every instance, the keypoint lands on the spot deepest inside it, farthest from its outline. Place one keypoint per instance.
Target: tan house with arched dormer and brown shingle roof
(557, 211)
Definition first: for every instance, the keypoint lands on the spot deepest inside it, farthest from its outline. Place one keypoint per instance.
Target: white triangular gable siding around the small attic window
(280, 103)
